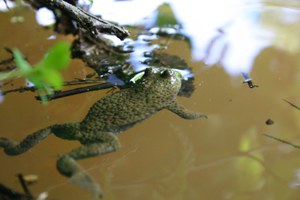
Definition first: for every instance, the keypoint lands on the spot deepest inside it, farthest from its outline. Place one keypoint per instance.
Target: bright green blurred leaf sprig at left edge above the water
(45, 75)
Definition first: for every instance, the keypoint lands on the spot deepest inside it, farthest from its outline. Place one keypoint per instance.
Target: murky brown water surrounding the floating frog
(166, 157)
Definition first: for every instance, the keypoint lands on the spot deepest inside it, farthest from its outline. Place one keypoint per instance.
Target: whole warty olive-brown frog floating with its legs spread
(156, 90)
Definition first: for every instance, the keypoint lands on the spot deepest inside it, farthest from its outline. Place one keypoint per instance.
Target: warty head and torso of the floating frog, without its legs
(121, 110)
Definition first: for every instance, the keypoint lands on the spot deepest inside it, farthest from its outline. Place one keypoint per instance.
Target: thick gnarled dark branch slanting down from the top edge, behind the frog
(88, 21)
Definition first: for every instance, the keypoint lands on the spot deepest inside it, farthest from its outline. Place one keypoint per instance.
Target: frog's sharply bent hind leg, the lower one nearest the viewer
(101, 143)
